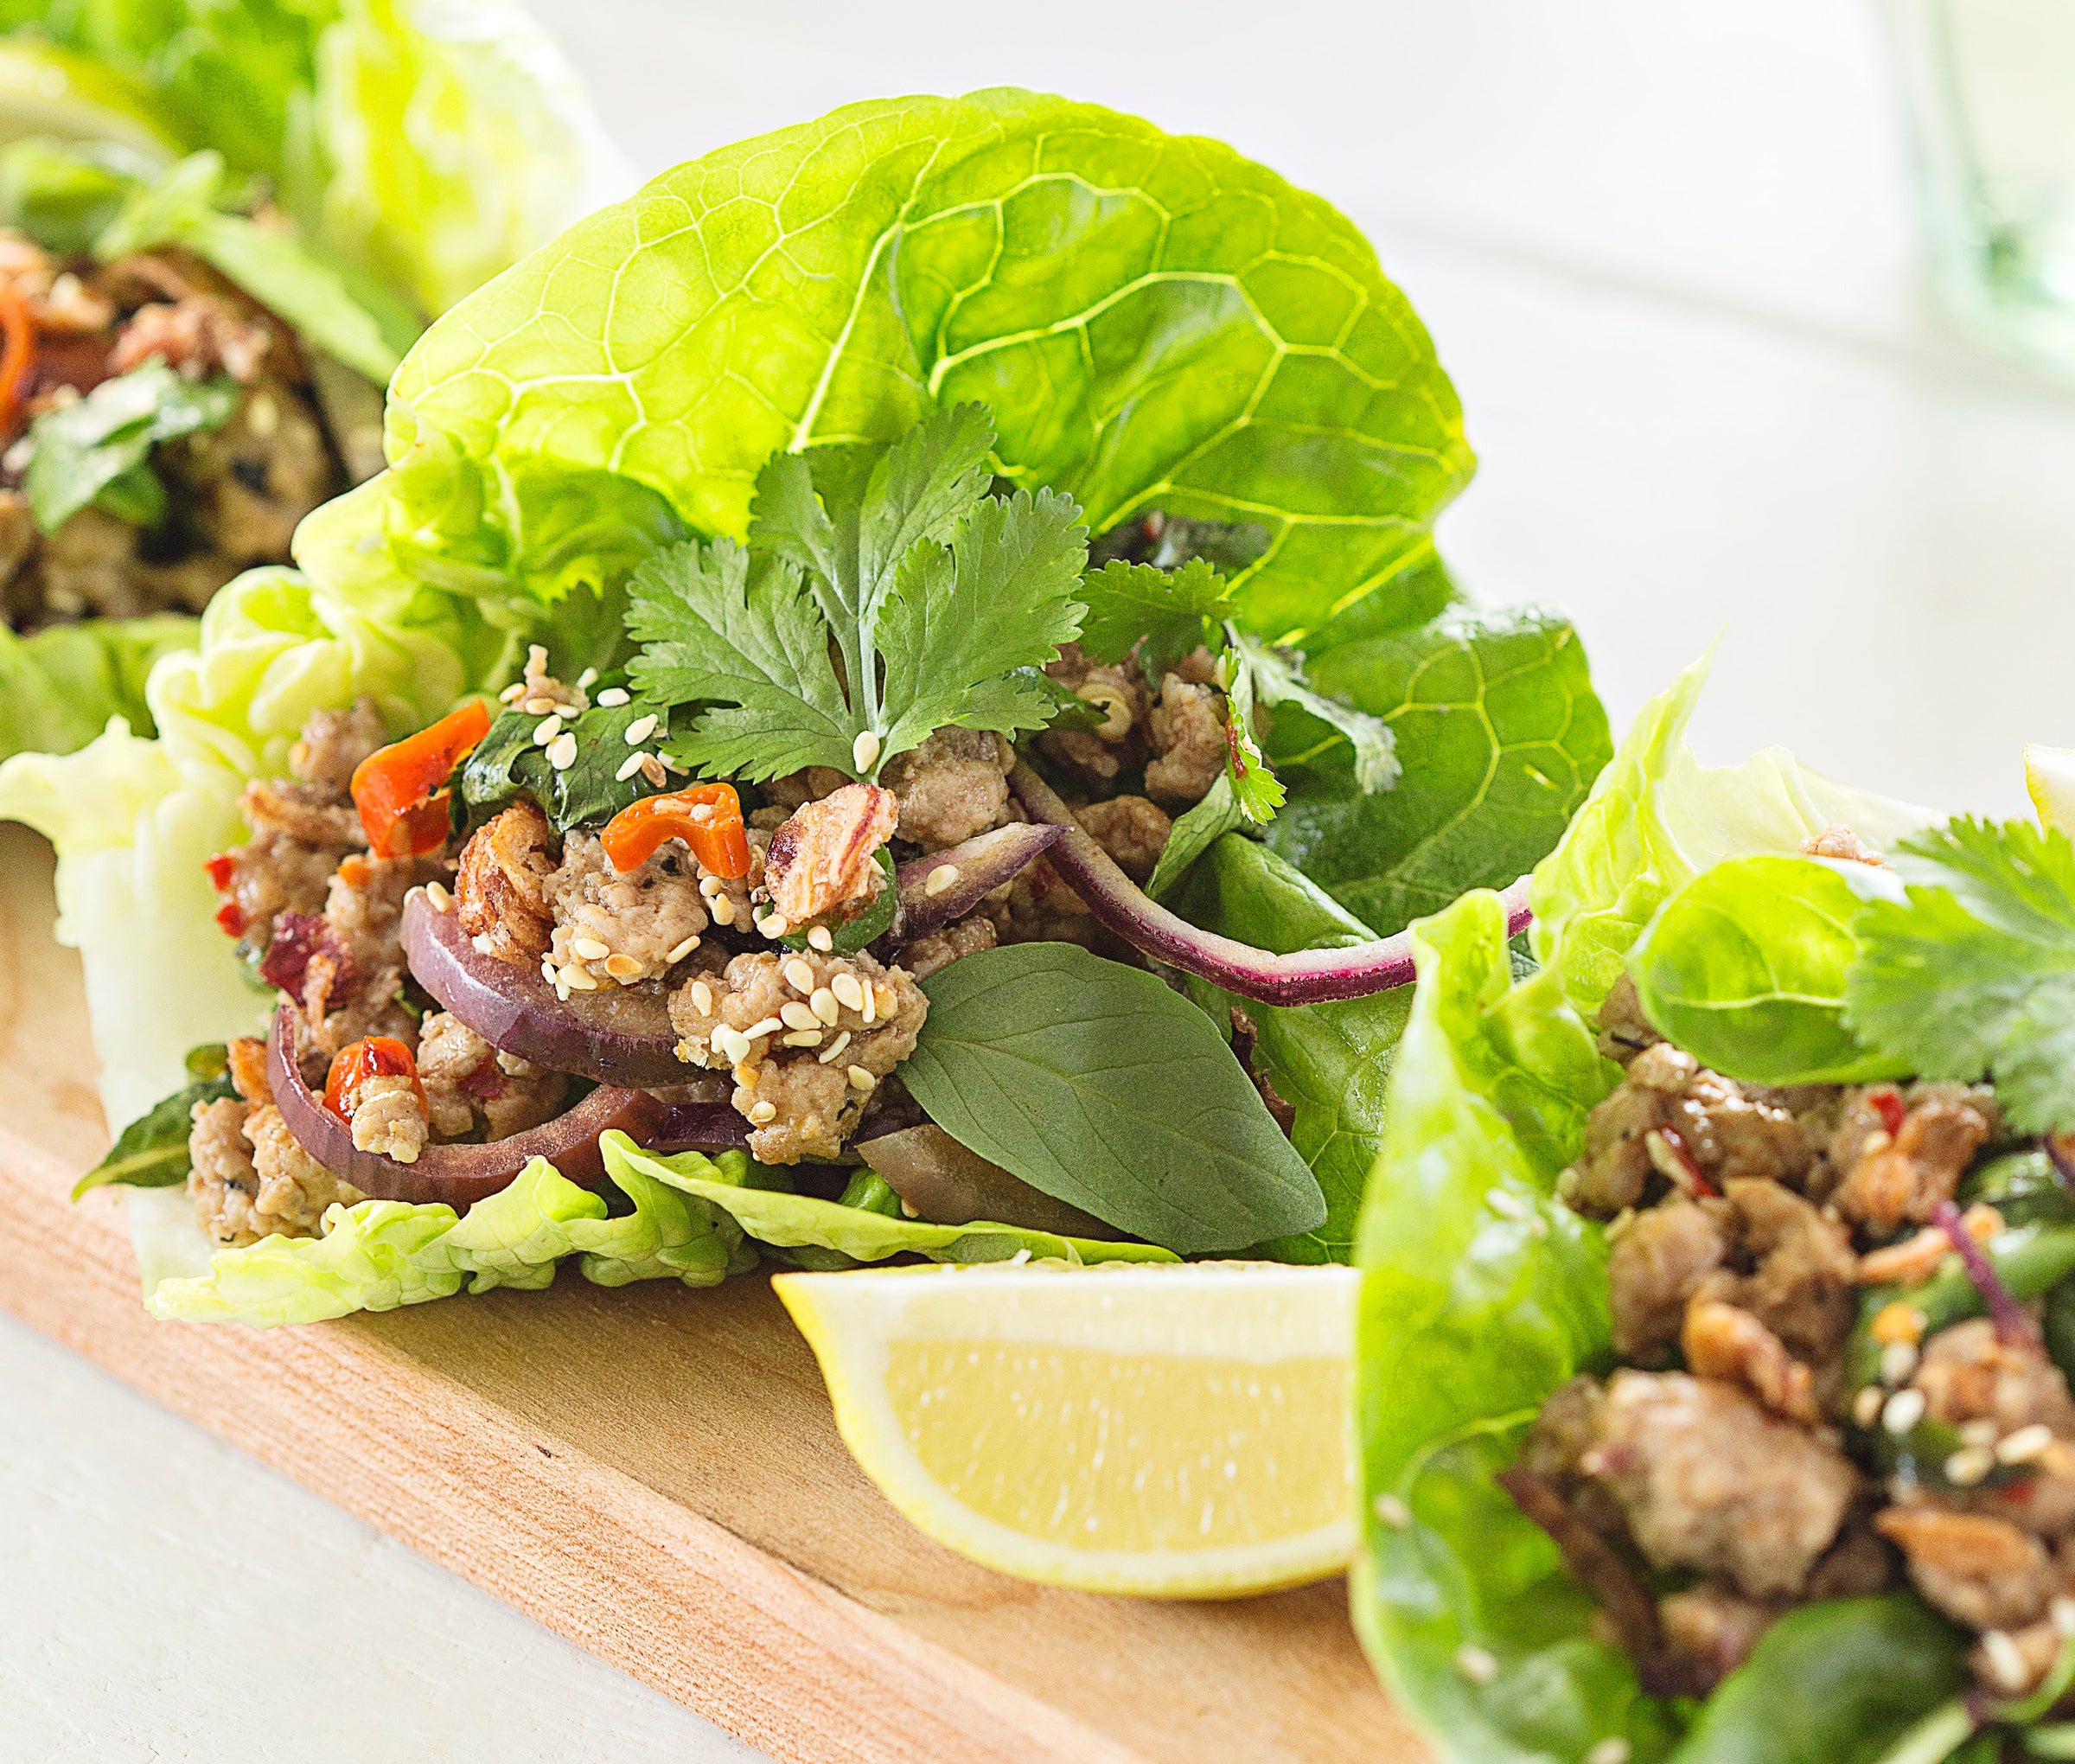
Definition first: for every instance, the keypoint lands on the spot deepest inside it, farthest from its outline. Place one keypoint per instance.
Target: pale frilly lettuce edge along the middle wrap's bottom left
(385, 1255)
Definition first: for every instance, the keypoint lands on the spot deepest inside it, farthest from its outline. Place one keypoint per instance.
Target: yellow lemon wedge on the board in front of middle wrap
(1163, 1431)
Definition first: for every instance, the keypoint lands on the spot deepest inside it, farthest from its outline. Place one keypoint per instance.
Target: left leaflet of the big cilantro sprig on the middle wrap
(754, 646)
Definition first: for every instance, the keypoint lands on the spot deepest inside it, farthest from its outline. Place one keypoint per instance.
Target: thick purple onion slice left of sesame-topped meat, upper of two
(619, 1037)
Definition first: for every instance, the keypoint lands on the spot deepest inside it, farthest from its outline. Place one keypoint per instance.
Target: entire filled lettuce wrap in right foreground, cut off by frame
(1711, 1398)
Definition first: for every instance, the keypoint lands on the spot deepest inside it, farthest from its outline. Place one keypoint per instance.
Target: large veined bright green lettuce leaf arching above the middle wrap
(1151, 321)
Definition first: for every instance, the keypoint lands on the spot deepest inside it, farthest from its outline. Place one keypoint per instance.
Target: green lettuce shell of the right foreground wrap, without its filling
(1483, 1294)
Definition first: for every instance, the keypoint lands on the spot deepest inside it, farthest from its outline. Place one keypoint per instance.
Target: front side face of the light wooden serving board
(688, 1607)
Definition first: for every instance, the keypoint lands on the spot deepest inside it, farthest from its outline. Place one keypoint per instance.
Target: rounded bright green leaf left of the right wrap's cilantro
(1746, 970)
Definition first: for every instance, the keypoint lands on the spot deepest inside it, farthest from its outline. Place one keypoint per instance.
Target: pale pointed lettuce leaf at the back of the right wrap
(1657, 819)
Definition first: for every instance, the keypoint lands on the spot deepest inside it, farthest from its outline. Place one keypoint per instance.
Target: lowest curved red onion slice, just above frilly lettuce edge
(460, 1176)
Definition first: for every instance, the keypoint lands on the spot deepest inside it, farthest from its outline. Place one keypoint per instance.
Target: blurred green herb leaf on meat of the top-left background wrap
(101, 445)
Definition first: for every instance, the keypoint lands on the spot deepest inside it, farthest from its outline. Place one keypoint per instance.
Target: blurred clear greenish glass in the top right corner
(1991, 90)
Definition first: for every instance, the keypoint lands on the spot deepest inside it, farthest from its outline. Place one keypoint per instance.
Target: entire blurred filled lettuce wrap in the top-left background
(221, 229)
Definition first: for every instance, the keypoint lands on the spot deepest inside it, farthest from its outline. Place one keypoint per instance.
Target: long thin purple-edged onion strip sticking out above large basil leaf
(1308, 976)
